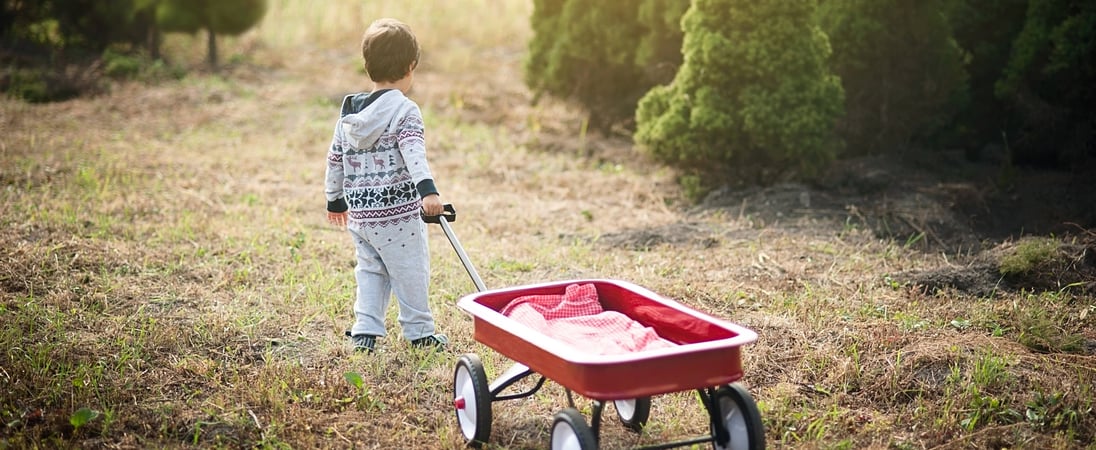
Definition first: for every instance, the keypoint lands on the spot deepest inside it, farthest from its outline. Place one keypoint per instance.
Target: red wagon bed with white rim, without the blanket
(707, 351)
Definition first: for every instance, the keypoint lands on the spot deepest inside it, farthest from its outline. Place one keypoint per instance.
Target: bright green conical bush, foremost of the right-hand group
(753, 93)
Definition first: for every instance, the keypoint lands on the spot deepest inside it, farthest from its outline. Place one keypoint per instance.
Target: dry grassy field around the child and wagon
(168, 279)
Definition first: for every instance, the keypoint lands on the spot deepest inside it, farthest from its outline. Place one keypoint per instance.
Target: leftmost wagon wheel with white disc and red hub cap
(473, 400)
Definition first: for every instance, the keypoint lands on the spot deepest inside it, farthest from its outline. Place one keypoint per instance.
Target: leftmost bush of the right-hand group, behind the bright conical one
(603, 55)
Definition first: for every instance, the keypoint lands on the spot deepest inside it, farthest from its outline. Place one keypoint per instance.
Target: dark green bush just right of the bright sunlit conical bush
(901, 70)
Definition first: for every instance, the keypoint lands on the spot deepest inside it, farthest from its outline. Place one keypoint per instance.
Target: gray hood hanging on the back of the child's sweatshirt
(374, 113)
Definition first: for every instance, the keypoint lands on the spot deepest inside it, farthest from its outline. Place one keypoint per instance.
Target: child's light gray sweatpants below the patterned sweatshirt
(394, 259)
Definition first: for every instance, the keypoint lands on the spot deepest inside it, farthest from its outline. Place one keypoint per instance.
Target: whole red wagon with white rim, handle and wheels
(705, 357)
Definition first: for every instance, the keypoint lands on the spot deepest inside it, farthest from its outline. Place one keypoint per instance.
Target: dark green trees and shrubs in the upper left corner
(58, 50)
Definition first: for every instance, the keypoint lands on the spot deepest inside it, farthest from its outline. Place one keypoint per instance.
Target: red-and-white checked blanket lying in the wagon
(578, 319)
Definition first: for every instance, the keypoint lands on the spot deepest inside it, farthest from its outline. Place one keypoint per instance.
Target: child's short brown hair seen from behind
(390, 50)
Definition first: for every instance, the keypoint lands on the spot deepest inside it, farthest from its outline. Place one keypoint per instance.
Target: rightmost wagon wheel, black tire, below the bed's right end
(740, 417)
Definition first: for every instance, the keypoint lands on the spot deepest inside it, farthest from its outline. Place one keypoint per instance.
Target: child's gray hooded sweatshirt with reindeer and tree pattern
(378, 167)
